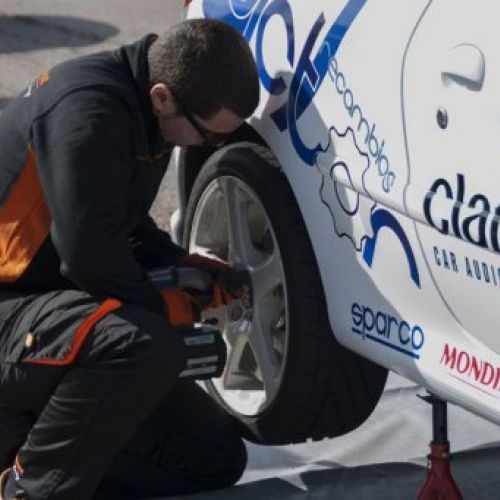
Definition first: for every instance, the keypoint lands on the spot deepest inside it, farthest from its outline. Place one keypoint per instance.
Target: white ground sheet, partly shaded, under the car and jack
(385, 458)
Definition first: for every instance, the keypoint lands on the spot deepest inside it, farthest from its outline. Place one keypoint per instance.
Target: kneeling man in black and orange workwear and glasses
(89, 357)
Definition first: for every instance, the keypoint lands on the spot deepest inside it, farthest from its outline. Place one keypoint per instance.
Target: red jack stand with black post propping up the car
(439, 484)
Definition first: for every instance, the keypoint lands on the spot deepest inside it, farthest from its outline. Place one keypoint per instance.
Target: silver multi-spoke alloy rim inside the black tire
(230, 223)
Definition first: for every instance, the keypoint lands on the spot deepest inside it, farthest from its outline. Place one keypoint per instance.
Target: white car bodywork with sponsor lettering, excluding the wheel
(383, 115)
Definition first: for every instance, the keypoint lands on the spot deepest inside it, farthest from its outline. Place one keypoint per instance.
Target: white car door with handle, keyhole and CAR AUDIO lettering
(451, 97)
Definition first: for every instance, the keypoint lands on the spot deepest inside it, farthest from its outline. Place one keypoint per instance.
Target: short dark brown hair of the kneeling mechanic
(207, 65)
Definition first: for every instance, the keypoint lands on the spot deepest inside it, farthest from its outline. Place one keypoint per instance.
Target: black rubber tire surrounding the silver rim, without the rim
(326, 390)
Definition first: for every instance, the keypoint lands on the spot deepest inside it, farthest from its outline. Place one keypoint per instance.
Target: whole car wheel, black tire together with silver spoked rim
(313, 387)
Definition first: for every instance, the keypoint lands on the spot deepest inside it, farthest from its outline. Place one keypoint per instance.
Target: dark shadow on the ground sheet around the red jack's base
(475, 471)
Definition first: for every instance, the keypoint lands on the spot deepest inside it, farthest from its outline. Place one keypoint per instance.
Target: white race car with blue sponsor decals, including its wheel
(361, 198)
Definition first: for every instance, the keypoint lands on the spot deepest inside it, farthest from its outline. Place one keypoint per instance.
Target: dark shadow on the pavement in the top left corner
(27, 33)
